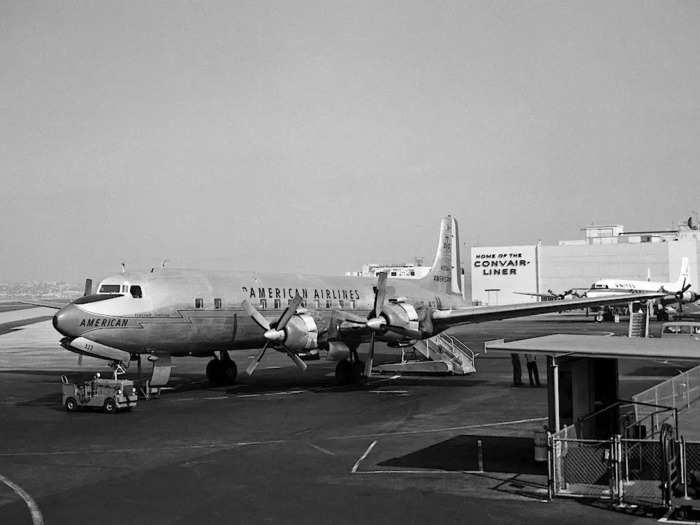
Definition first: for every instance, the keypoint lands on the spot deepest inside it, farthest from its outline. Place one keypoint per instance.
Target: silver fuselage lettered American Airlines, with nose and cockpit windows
(190, 312)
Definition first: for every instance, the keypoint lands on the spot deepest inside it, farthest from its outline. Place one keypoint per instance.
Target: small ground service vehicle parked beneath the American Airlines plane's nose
(111, 395)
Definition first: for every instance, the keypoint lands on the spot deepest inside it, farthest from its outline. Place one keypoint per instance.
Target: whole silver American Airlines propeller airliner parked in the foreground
(173, 312)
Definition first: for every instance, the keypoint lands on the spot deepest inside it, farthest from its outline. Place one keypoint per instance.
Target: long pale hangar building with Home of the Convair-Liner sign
(495, 273)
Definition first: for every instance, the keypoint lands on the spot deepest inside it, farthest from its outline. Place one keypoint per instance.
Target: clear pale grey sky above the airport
(316, 136)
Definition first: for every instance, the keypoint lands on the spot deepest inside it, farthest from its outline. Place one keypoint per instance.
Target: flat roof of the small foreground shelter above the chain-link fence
(675, 347)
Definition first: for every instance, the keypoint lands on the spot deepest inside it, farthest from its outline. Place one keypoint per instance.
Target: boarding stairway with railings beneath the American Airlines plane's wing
(442, 354)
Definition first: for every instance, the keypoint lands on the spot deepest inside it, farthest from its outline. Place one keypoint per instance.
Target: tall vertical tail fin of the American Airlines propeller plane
(445, 275)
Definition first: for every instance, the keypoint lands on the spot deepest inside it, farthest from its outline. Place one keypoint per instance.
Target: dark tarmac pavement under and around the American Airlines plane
(282, 446)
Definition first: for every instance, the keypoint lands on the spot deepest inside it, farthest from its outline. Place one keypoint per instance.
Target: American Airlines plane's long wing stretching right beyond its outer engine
(479, 314)
